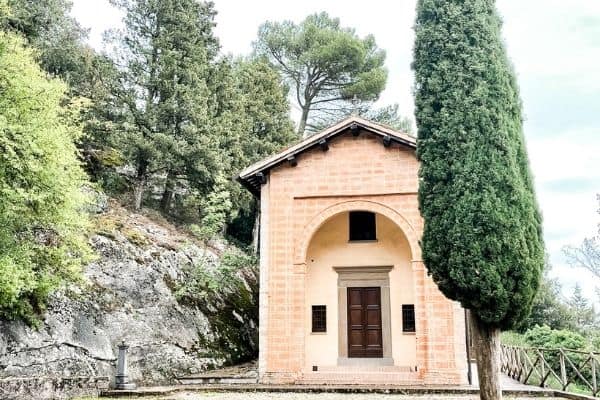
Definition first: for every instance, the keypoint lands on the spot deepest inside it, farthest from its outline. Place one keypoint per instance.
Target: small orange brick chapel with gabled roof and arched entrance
(344, 295)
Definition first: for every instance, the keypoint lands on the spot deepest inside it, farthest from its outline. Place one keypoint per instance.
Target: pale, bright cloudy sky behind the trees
(555, 48)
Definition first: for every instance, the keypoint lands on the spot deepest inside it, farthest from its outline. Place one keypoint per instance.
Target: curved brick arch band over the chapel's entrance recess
(303, 241)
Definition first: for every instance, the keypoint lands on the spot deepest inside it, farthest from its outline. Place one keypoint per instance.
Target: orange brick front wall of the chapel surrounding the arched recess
(355, 173)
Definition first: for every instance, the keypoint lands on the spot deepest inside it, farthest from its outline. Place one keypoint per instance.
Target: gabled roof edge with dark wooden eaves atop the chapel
(251, 176)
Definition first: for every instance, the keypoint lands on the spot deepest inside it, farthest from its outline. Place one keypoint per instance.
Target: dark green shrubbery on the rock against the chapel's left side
(228, 295)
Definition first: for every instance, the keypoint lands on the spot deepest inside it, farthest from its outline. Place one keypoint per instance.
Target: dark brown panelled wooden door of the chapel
(364, 322)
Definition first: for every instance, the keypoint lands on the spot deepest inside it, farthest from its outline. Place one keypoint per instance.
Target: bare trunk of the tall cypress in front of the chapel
(486, 341)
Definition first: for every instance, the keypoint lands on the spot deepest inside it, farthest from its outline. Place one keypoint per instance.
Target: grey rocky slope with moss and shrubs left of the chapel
(183, 307)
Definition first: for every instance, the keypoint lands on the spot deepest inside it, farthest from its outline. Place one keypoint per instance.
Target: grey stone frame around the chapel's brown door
(364, 276)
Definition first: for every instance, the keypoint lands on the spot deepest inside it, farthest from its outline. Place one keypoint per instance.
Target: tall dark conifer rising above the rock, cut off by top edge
(167, 50)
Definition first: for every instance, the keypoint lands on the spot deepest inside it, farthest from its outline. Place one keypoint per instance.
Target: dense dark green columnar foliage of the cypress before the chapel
(482, 239)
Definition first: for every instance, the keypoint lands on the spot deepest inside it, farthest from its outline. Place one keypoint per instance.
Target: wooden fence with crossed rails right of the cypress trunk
(562, 369)
